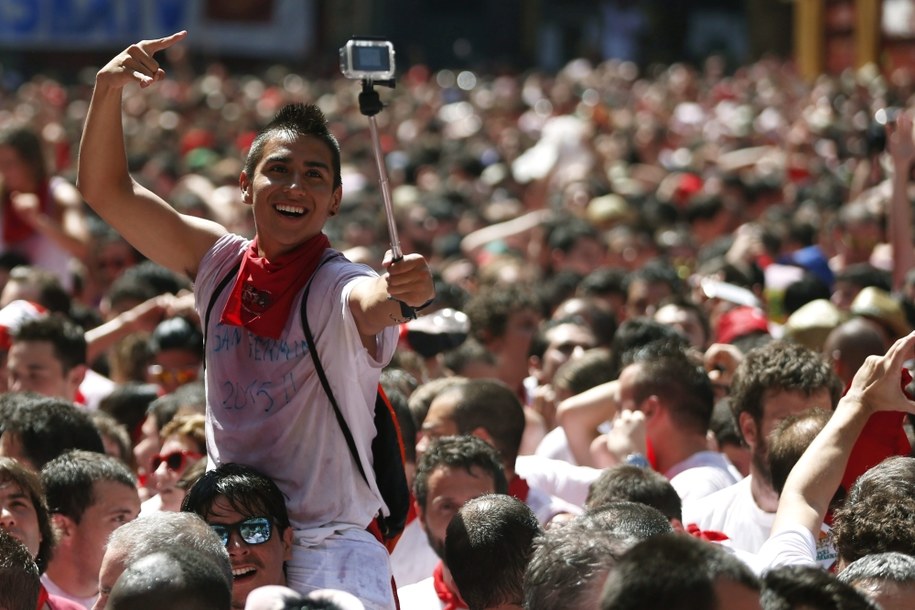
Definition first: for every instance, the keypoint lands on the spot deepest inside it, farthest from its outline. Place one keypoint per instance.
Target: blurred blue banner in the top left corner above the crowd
(256, 28)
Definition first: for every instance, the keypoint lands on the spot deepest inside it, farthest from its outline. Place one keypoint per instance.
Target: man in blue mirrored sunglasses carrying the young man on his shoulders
(248, 512)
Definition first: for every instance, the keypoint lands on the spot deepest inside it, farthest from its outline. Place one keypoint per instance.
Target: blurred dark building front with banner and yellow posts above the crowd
(823, 35)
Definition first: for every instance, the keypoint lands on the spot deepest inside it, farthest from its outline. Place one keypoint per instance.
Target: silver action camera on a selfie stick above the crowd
(372, 61)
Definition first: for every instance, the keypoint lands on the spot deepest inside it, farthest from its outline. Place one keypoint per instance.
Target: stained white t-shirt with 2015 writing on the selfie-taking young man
(266, 407)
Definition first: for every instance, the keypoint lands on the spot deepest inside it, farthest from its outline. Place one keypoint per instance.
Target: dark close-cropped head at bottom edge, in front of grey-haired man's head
(185, 581)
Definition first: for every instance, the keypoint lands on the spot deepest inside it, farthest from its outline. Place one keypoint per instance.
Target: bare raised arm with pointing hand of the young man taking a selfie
(148, 222)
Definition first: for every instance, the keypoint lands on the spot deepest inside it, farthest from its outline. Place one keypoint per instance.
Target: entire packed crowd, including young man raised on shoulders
(661, 358)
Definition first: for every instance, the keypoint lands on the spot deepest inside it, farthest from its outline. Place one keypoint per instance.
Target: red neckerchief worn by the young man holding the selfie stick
(264, 291)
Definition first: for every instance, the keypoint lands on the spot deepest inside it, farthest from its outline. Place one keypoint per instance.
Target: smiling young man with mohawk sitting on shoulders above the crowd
(265, 406)
